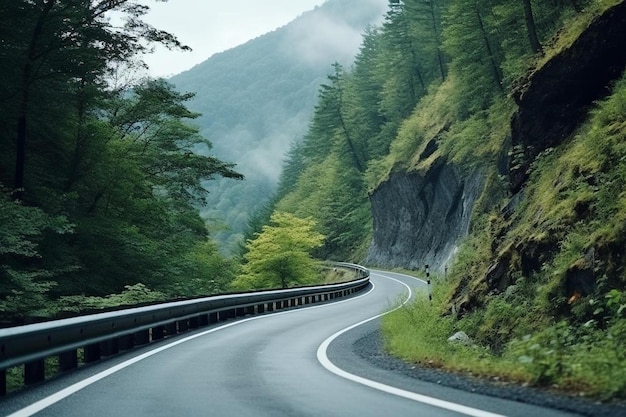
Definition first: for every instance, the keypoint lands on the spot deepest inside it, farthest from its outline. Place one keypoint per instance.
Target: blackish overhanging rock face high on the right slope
(558, 95)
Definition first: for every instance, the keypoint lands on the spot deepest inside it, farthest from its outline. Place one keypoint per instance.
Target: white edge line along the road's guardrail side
(66, 392)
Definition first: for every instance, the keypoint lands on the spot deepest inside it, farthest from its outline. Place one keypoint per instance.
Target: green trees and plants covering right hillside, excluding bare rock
(434, 83)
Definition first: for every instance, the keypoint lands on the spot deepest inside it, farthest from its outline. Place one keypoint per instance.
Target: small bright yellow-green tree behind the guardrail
(279, 257)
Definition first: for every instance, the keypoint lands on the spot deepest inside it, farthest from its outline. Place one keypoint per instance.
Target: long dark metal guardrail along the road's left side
(105, 334)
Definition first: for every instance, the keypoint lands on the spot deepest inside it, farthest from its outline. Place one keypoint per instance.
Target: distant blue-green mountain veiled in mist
(256, 99)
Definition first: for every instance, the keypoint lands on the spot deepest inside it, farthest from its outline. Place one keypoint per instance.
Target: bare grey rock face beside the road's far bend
(419, 219)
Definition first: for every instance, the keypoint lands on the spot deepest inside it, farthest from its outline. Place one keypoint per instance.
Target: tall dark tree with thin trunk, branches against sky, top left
(66, 44)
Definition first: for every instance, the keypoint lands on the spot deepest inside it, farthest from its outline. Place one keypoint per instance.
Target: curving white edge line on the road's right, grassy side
(322, 357)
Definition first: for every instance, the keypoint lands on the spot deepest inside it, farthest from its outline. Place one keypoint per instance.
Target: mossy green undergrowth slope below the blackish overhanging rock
(556, 315)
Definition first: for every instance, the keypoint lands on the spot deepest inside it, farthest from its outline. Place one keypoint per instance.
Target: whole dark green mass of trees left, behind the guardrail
(104, 178)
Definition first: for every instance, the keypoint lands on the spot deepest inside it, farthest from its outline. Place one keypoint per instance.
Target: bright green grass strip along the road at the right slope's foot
(582, 361)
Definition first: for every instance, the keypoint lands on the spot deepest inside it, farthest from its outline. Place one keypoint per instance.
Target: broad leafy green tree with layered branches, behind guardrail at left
(136, 193)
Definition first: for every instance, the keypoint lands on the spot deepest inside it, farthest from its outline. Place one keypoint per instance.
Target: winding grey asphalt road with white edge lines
(281, 364)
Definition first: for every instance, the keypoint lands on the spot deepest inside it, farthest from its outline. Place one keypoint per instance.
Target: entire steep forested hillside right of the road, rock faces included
(465, 92)
